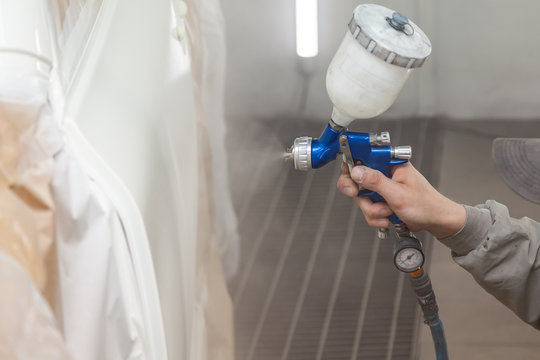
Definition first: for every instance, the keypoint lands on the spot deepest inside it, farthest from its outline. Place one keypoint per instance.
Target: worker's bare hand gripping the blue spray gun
(408, 194)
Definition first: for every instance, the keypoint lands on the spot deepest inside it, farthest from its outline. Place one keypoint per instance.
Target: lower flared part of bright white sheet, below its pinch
(108, 303)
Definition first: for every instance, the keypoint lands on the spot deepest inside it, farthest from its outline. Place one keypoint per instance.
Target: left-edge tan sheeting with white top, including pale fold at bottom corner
(27, 247)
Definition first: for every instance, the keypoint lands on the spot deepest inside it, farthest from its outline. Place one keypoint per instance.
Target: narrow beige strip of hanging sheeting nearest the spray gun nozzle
(212, 336)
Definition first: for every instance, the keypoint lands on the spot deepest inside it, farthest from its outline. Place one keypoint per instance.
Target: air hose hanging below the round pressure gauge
(421, 285)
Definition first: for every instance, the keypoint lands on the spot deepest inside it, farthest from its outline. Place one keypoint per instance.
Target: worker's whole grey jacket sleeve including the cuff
(503, 255)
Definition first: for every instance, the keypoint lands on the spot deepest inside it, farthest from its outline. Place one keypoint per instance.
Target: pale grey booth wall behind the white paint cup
(484, 62)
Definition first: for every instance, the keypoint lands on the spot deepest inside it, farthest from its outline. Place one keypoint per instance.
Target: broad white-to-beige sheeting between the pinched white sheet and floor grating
(141, 107)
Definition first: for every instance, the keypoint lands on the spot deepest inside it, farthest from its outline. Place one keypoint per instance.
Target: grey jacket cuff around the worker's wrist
(472, 234)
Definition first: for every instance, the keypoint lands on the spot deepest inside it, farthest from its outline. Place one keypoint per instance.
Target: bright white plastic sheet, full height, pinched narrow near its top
(100, 233)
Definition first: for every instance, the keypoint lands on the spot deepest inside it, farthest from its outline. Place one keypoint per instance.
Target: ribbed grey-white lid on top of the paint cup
(390, 36)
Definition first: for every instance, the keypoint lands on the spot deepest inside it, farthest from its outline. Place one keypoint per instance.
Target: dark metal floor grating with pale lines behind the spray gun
(314, 281)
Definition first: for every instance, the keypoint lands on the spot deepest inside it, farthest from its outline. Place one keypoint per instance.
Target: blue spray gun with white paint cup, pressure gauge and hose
(380, 50)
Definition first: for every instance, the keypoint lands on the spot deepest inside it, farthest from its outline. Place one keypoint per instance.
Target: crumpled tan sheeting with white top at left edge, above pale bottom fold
(26, 170)
